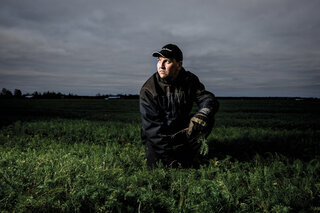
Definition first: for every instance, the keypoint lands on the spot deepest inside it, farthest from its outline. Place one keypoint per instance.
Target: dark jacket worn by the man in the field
(165, 108)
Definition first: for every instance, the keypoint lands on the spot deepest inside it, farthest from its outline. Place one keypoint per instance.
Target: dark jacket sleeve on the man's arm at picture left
(153, 125)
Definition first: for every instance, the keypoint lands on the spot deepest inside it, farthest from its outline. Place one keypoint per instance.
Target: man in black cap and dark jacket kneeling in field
(168, 131)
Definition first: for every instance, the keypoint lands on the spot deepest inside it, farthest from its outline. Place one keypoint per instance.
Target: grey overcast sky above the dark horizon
(236, 47)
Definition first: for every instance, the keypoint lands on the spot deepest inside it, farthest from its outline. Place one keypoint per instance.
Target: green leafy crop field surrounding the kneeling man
(86, 156)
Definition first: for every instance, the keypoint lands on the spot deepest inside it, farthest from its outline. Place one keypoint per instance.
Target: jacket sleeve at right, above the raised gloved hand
(205, 99)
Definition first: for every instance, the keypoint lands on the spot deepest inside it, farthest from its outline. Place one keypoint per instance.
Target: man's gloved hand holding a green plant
(197, 125)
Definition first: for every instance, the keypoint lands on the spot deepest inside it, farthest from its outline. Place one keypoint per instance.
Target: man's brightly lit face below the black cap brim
(168, 68)
